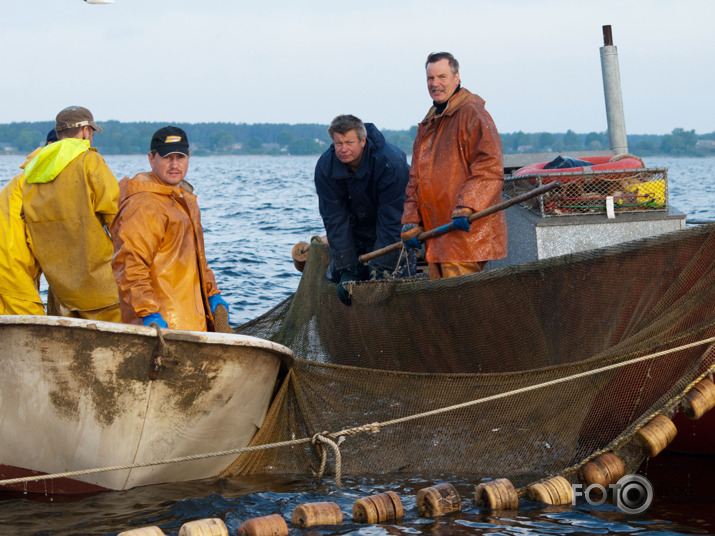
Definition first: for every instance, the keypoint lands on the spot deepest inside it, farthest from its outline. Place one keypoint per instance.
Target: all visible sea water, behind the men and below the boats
(254, 209)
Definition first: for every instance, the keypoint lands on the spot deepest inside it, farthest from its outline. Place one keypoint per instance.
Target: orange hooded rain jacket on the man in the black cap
(159, 261)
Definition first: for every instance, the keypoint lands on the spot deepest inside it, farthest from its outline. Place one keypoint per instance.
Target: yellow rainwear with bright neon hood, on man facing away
(70, 199)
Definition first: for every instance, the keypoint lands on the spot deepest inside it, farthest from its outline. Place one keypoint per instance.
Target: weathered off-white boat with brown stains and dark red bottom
(77, 395)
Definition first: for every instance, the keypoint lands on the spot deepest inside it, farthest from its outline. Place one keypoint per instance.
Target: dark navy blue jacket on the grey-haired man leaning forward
(362, 211)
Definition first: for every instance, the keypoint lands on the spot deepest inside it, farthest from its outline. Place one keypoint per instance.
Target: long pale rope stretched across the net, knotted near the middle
(322, 439)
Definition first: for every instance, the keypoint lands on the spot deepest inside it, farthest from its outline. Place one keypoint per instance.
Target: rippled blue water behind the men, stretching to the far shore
(254, 209)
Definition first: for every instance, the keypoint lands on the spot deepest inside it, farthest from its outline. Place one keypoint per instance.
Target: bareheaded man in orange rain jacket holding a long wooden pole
(457, 169)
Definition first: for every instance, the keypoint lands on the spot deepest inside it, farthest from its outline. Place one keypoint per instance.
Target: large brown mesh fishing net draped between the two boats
(547, 349)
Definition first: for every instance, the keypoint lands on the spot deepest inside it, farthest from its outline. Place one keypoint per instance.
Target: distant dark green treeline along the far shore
(312, 139)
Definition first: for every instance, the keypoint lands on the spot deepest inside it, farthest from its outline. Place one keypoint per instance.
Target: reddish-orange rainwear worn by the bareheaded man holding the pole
(457, 161)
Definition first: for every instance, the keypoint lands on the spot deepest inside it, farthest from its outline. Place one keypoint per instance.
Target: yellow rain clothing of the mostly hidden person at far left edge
(19, 270)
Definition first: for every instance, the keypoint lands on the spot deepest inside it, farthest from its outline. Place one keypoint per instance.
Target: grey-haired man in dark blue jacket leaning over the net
(361, 183)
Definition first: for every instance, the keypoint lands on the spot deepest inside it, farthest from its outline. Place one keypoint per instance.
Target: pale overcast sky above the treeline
(535, 62)
